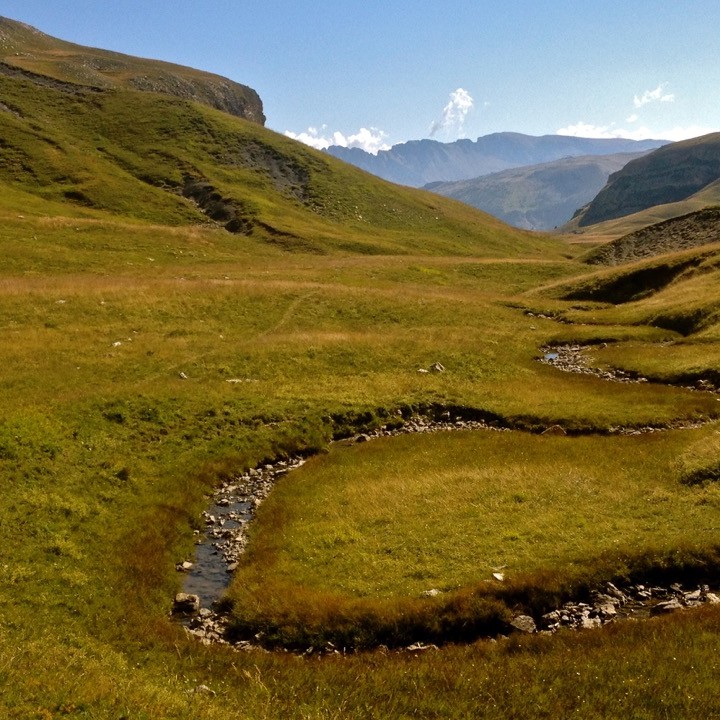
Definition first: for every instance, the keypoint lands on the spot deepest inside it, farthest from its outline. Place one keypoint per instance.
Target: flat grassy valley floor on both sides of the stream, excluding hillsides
(107, 454)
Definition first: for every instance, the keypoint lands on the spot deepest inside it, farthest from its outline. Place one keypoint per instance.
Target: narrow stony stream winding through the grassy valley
(224, 538)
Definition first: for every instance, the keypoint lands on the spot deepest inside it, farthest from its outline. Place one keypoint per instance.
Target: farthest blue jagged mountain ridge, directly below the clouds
(420, 162)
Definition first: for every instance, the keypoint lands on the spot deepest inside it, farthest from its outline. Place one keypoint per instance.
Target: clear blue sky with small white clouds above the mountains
(377, 72)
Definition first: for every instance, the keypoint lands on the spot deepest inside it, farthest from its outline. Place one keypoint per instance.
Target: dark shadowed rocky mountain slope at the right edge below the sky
(669, 174)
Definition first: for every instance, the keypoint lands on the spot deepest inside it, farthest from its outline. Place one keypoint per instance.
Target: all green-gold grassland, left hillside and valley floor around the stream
(185, 296)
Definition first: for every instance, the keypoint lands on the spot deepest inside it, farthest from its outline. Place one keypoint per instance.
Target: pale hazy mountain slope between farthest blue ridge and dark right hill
(537, 197)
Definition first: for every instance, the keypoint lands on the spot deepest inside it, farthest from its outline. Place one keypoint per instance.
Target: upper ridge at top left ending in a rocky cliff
(29, 52)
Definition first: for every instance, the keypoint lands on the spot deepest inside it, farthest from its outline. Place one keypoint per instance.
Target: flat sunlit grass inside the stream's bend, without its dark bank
(444, 511)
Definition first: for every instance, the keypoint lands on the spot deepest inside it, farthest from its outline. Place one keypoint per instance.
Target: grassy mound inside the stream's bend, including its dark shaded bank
(345, 547)
